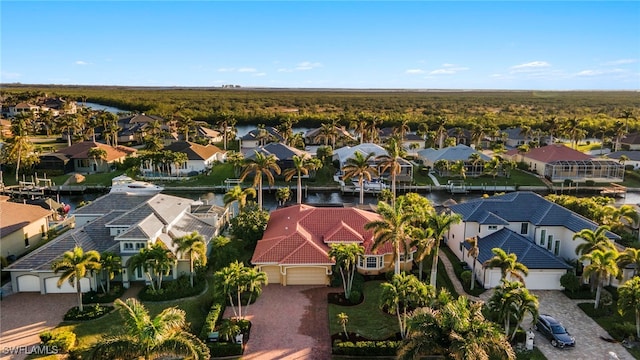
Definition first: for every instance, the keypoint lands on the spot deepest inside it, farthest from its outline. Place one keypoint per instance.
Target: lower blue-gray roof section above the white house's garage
(528, 253)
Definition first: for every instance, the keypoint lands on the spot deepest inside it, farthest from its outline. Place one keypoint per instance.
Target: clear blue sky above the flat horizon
(543, 45)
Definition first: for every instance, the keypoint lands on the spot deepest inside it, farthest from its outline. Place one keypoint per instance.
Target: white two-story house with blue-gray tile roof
(538, 231)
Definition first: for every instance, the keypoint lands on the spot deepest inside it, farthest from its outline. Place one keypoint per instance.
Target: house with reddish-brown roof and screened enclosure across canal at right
(558, 163)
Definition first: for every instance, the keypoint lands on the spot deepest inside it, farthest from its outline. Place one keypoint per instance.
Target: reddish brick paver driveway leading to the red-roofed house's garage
(289, 322)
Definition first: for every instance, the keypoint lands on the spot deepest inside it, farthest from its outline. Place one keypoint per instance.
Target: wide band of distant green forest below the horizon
(593, 110)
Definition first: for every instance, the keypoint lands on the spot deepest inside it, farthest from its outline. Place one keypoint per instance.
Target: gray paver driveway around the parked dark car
(587, 332)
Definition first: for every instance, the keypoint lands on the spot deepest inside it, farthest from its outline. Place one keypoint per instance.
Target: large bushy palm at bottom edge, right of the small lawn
(456, 330)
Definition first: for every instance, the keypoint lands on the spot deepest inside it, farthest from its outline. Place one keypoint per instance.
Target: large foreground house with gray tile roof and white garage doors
(122, 224)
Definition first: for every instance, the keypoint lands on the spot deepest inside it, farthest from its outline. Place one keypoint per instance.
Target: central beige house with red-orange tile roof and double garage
(294, 249)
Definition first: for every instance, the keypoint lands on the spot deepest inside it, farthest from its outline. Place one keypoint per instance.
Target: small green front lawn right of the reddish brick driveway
(366, 319)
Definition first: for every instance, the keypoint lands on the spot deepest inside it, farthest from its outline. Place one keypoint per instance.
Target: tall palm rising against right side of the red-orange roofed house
(392, 228)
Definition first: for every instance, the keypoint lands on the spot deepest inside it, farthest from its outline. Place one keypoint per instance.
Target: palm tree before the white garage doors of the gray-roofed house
(75, 265)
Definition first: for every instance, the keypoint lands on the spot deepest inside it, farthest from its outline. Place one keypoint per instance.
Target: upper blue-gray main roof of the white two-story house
(524, 206)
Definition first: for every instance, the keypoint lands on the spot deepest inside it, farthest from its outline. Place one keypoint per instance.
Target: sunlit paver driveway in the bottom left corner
(23, 316)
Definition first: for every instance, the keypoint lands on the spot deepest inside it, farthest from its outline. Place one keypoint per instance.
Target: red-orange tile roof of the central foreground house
(302, 234)
